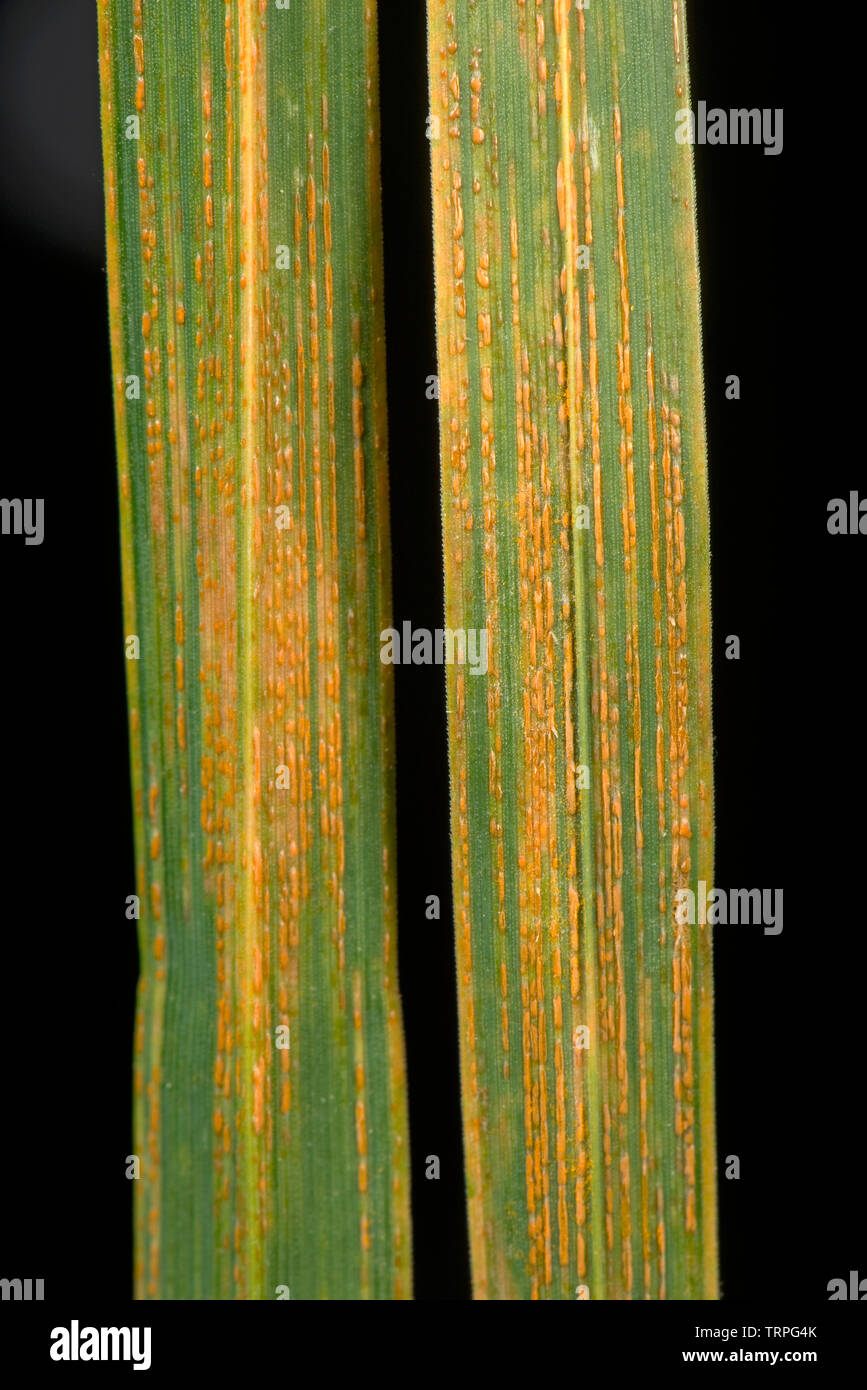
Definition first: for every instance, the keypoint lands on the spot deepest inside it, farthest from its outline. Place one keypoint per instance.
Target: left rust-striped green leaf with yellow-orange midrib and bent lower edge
(245, 281)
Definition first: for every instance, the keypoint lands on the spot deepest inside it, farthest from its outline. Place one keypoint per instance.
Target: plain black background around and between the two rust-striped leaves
(776, 279)
